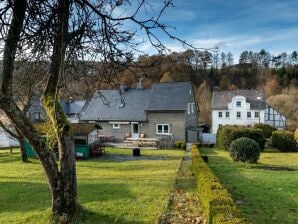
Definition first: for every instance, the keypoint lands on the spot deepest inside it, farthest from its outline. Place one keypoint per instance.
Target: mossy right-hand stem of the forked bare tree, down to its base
(65, 195)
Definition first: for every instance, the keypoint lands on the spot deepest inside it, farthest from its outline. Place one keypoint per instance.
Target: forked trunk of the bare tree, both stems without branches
(62, 182)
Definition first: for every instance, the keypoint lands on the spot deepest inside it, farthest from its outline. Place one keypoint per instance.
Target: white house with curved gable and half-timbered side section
(243, 107)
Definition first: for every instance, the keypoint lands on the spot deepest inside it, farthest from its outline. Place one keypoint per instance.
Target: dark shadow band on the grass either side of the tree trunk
(29, 196)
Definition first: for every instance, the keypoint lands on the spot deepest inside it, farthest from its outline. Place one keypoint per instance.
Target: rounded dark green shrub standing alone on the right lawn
(245, 150)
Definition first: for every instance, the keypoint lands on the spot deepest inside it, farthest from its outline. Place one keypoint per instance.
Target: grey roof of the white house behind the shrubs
(221, 99)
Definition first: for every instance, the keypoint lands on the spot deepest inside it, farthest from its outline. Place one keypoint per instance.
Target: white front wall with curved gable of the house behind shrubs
(232, 119)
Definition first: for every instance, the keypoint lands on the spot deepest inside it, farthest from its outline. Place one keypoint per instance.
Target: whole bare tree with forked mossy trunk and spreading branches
(65, 33)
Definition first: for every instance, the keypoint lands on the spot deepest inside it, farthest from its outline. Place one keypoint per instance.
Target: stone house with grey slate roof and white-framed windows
(167, 110)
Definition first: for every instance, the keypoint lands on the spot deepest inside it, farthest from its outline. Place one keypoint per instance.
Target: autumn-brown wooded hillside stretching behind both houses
(277, 75)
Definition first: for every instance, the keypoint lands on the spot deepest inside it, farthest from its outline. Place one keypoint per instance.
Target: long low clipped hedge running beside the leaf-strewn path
(216, 201)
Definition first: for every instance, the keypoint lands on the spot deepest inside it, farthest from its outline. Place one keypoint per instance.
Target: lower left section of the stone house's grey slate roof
(105, 105)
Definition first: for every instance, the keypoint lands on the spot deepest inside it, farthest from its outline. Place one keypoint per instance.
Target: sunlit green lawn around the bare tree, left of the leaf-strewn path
(117, 188)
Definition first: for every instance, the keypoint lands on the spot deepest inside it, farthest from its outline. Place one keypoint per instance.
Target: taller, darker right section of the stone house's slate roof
(170, 96)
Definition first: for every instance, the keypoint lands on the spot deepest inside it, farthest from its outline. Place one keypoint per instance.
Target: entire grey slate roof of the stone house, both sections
(132, 104)
